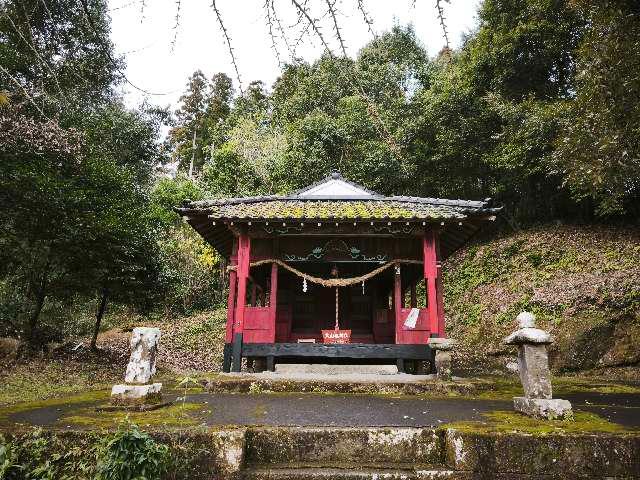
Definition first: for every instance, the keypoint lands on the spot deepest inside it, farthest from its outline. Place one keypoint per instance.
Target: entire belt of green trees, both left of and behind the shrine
(539, 108)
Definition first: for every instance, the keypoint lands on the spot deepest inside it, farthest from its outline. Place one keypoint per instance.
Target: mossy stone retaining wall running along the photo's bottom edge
(448, 452)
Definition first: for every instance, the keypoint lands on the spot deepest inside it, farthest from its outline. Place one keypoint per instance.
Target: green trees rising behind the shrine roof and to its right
(528, 111)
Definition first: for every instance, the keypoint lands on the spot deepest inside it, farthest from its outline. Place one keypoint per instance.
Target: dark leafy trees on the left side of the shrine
(81, 226)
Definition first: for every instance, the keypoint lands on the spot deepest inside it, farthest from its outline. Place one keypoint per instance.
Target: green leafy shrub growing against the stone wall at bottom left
(131, 454)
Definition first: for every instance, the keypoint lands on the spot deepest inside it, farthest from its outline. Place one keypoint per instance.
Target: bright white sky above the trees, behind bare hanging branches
(144, 36)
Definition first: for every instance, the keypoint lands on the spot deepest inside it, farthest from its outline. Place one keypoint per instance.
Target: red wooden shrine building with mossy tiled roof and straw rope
(332, 272)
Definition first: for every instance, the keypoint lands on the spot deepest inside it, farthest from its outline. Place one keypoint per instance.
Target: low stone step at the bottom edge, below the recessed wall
(285, 473)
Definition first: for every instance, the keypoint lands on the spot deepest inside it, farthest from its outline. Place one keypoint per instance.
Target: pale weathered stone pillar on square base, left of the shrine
(142, 366)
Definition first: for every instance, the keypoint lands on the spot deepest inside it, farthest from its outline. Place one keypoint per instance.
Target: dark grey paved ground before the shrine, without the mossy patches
(358, 410)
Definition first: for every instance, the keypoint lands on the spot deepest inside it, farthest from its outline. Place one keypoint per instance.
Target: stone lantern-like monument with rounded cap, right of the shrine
(533, 368)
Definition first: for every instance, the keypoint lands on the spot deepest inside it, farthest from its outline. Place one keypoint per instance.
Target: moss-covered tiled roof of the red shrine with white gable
(323, 201)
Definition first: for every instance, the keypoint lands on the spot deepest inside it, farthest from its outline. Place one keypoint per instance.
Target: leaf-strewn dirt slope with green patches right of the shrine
(583, 283)
